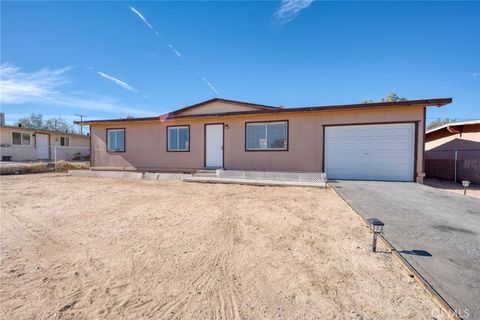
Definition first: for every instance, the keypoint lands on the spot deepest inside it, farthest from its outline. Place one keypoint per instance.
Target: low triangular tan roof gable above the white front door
(219, 106)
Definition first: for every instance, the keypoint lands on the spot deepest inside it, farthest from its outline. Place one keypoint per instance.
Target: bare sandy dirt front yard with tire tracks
(94, 248)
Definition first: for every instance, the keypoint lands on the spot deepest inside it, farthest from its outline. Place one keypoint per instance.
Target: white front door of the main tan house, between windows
(214, 145)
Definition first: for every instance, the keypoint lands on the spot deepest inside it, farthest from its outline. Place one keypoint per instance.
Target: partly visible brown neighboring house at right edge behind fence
(452, 151)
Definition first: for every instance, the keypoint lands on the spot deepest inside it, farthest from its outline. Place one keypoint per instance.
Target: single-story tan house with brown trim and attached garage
(375, 141)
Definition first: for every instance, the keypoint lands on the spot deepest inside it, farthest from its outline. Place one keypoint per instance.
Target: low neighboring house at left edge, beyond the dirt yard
(25, 144)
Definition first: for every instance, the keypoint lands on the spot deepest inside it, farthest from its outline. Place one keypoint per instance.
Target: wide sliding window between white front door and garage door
(266, 136)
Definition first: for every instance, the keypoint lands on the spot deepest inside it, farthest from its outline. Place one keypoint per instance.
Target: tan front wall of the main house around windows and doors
(146, 141)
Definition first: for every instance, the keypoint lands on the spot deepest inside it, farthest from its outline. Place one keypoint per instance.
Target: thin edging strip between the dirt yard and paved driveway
(447, 309)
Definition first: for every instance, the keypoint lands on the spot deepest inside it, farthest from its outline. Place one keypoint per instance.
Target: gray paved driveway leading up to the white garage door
(444, 225)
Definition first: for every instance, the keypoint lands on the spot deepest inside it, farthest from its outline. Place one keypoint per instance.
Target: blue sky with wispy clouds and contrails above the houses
(102, 60)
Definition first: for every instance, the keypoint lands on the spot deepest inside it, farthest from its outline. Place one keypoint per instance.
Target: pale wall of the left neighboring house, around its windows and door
(25, 153)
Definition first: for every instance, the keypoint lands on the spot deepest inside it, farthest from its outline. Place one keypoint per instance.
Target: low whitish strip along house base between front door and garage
(273, 176)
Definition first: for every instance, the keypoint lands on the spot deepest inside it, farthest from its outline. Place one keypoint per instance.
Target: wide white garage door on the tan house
(370, 152)
